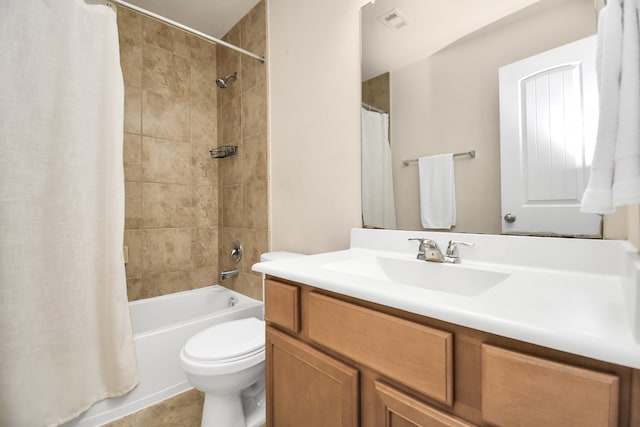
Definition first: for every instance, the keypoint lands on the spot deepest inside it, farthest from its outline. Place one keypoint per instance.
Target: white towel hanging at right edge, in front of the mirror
(615, 171)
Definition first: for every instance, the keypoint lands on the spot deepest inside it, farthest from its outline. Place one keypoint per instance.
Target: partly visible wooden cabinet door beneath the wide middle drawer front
(396, 409)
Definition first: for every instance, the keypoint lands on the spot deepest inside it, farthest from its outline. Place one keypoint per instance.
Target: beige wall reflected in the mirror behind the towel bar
(449, 103)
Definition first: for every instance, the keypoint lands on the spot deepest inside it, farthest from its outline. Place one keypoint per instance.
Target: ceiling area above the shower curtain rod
(212, 17)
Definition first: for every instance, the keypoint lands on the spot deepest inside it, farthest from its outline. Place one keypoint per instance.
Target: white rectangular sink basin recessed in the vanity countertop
(450, 278)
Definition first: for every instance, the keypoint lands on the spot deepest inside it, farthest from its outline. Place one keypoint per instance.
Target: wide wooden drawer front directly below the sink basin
(410, 353)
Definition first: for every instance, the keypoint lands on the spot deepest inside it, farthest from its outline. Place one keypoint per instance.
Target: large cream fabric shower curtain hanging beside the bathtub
(65, 331)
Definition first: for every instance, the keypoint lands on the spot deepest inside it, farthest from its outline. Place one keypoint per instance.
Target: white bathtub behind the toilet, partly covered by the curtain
(161, 326)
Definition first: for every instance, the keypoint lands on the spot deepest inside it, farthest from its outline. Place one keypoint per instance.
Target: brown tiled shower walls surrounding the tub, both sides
(179, 201)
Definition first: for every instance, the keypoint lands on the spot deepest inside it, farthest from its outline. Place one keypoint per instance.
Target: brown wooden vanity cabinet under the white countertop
(333, 360)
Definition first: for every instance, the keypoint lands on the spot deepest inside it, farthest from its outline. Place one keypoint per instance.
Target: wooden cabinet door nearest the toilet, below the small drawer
(306, 387)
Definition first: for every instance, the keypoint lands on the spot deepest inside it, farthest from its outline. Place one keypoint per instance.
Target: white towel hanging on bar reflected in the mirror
(437, 191)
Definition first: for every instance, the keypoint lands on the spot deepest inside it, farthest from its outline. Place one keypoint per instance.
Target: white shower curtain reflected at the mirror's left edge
(378, 201)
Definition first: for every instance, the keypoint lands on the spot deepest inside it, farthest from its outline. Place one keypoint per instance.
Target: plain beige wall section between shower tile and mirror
(314, 107)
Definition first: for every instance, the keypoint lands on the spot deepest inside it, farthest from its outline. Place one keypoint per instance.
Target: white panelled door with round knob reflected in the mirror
(548, 124)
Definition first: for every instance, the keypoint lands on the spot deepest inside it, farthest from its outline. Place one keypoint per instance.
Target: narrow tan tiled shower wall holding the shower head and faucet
(242, 121)
